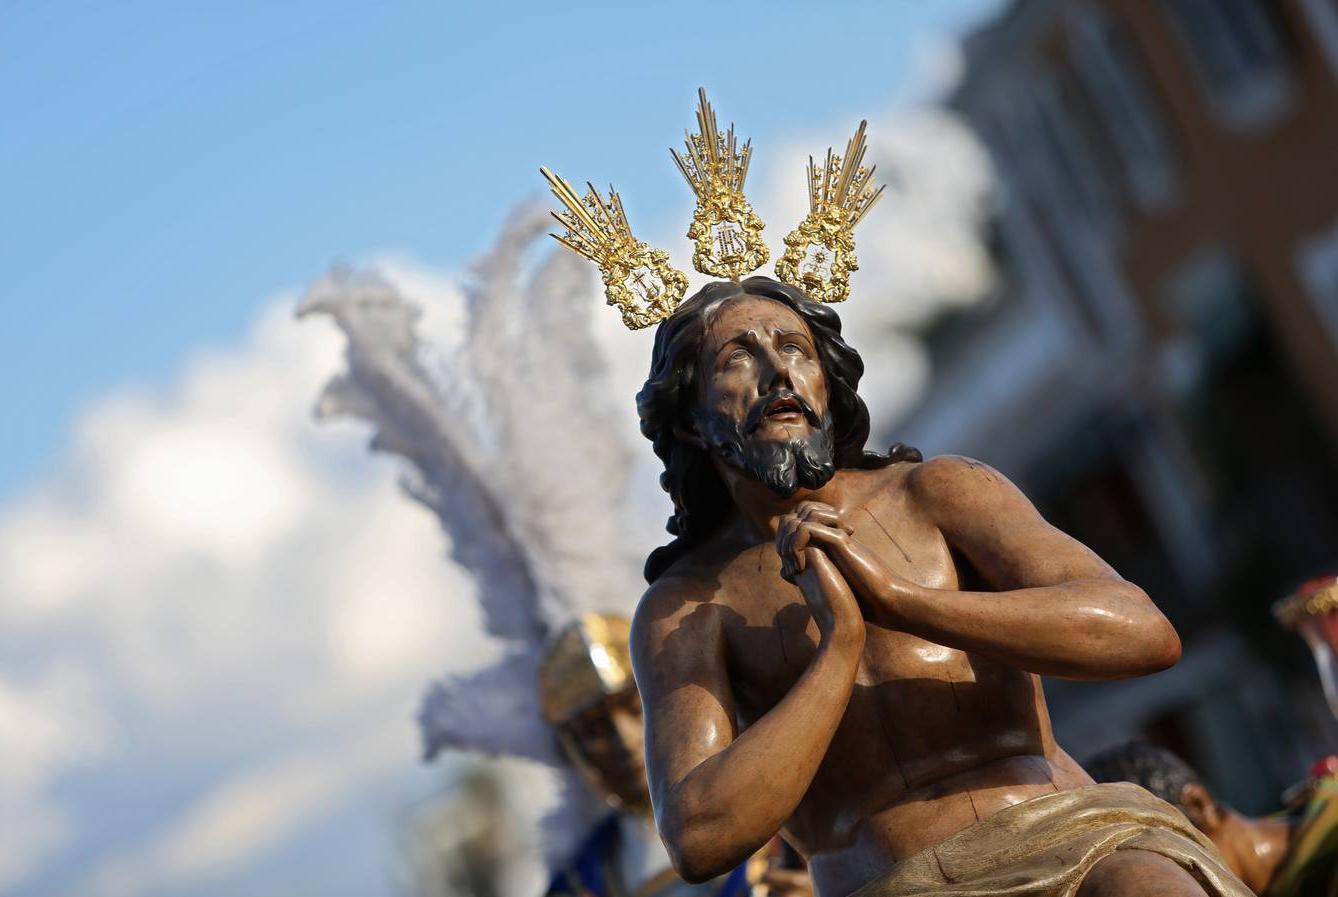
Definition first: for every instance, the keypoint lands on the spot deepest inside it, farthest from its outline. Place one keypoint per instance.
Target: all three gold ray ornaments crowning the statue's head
(726, 231)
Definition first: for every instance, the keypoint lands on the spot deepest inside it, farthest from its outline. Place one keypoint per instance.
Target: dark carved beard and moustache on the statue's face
(782, 467)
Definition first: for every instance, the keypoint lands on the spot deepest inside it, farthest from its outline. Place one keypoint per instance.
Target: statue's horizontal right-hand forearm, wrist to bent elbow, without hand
(1098, 629)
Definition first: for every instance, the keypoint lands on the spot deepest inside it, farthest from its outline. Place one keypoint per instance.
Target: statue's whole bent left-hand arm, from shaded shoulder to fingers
(721, 796)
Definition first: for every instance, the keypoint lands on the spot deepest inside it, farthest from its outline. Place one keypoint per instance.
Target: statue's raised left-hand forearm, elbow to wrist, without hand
(734, 803)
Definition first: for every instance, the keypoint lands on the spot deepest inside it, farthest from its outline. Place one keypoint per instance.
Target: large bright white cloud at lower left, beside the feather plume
(224, 578)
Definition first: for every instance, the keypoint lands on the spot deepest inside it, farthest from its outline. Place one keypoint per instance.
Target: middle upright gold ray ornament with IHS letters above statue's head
(726, 231)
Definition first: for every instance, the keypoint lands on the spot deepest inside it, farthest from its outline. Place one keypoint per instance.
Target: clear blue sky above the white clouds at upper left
(165, 168)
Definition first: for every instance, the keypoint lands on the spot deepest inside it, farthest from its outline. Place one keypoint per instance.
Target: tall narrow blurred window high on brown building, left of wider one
(1109, 68)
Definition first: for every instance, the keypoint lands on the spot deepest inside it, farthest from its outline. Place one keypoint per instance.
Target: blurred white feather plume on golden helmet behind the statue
(512, 441)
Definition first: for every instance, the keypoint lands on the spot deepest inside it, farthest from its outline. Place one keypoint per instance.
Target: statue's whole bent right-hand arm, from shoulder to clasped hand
(1059, 610)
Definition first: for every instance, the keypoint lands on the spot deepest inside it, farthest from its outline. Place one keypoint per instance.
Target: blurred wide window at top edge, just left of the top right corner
(1240, 54)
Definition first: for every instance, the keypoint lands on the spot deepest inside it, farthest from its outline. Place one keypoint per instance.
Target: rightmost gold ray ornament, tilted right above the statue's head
(821, 252)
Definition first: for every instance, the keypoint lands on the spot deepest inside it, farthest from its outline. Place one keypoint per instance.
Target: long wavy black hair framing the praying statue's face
(667, 401)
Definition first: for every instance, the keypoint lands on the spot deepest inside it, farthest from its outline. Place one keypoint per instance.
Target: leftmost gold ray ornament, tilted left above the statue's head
(638, 279)
